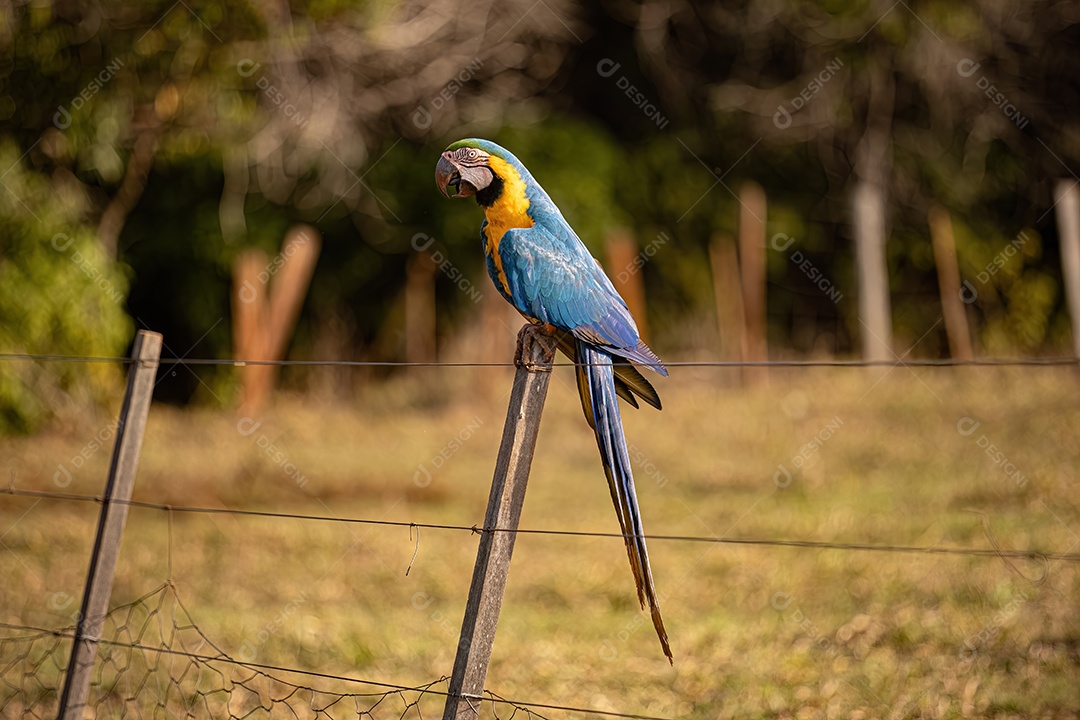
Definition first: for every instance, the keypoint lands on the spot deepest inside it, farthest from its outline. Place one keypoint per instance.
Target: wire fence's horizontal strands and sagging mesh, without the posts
(155, 662)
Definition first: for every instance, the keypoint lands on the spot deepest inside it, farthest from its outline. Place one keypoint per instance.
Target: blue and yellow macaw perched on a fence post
(541, 266)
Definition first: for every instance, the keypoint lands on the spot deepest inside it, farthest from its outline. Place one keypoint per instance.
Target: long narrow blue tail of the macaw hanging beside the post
(597, 384)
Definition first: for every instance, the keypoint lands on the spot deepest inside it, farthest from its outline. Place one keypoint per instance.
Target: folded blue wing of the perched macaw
(553, 278)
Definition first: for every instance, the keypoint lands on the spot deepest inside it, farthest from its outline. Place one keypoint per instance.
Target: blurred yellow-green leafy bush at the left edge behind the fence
(59, 296)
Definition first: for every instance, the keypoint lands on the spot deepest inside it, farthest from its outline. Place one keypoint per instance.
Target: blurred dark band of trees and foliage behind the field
(168, 138)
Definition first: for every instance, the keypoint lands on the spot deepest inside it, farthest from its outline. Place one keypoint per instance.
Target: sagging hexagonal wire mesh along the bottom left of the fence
(155, 662)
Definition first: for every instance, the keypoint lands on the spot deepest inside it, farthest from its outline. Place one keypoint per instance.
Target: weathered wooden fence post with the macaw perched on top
(537, 351)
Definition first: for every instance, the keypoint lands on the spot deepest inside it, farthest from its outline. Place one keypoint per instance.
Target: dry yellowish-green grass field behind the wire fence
(963, 458)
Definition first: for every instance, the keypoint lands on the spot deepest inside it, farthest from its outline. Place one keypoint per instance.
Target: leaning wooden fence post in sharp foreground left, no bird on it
(111, 524)
